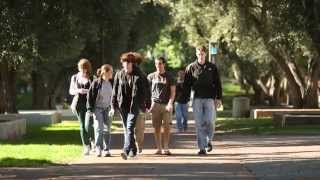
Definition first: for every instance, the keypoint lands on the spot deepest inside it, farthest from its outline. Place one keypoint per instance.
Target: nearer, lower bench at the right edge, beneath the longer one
(282, 119)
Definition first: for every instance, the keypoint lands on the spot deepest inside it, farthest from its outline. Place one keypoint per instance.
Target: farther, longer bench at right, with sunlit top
(264, 113)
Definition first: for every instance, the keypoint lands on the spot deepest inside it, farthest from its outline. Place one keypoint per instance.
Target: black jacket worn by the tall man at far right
(204, 80)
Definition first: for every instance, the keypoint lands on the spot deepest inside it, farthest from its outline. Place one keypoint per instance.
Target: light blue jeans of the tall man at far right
(205, 116)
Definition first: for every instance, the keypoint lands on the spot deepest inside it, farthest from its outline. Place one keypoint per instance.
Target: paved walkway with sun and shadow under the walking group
(233, 157)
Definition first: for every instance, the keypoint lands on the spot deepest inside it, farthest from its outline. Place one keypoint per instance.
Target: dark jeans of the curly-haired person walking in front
(129, 128)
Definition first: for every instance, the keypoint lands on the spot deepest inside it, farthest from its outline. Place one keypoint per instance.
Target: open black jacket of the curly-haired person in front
(140, 94)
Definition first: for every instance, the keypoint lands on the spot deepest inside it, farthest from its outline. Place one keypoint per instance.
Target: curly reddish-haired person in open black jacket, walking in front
(130, 94)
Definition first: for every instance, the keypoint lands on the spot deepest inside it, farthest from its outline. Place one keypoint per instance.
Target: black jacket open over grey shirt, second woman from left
(93, 92)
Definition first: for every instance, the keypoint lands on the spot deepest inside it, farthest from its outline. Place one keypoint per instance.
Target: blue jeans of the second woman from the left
(102, 128)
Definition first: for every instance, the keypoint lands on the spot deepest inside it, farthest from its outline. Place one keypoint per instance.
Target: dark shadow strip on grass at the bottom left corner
(13, 162)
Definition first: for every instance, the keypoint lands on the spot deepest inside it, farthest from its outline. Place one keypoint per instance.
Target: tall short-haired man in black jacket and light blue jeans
(203, 77)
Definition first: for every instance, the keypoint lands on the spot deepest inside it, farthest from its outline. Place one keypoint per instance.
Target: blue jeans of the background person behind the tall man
(182, 116)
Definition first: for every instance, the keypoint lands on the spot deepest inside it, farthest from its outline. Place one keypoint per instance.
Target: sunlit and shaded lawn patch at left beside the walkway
(57, 144)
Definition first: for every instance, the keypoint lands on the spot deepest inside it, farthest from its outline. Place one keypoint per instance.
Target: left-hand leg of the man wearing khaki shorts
(156, 123)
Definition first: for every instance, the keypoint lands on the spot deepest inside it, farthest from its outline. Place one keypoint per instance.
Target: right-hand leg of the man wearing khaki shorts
(167, 118)
